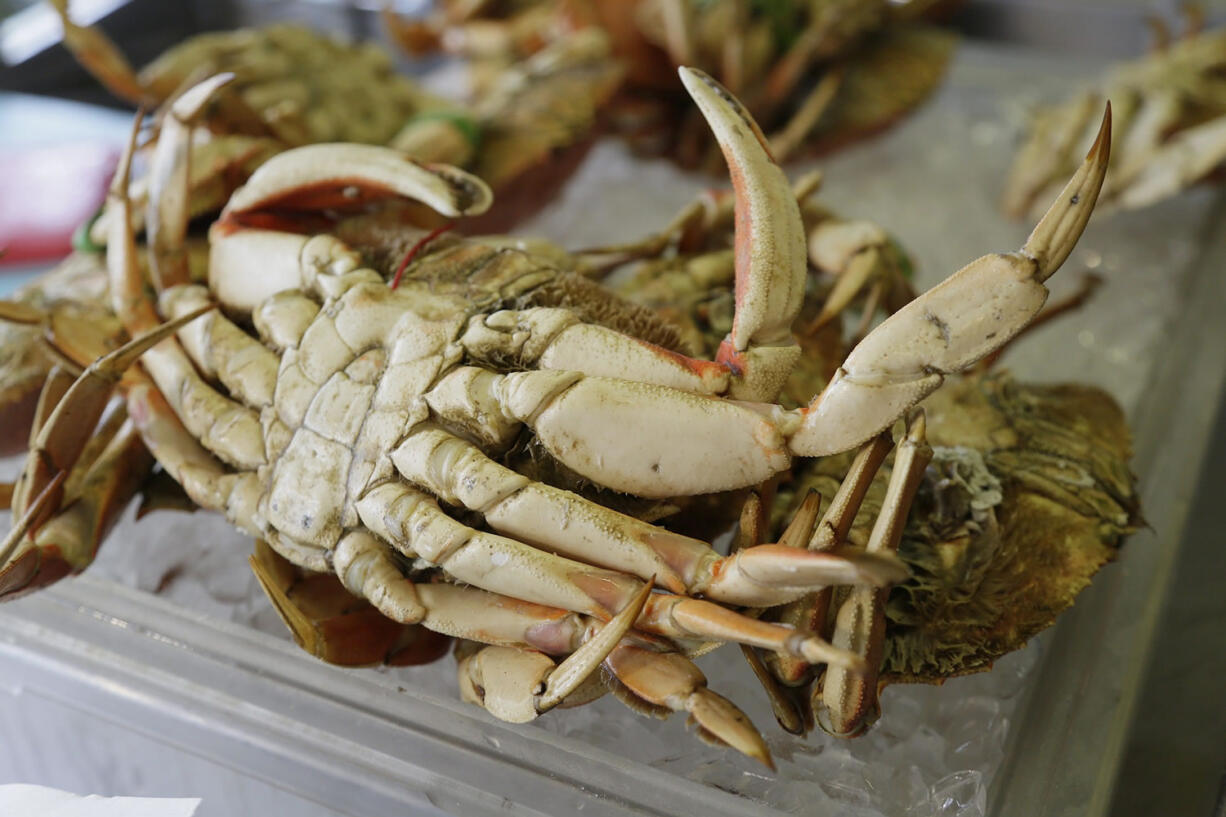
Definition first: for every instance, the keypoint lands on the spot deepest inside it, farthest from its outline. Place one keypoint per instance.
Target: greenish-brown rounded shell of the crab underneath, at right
(1028, 496)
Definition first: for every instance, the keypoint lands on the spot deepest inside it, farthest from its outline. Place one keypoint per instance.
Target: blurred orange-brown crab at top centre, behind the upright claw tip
(816, 75)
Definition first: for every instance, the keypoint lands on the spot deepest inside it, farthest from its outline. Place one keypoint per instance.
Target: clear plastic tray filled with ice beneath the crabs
(170, 635)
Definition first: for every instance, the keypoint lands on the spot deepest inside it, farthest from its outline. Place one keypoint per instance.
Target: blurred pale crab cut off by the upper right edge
(1171, 132)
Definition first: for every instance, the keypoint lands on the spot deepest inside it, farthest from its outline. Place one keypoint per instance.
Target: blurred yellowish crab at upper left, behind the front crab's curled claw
(292, 86)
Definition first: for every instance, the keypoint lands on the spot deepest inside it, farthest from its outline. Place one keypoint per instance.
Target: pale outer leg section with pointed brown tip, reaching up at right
(947, 329)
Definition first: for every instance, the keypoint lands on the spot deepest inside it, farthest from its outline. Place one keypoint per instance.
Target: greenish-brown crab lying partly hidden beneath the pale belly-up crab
(1024, 480)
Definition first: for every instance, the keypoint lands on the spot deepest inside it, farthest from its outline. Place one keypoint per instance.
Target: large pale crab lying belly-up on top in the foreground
(367, 434)
